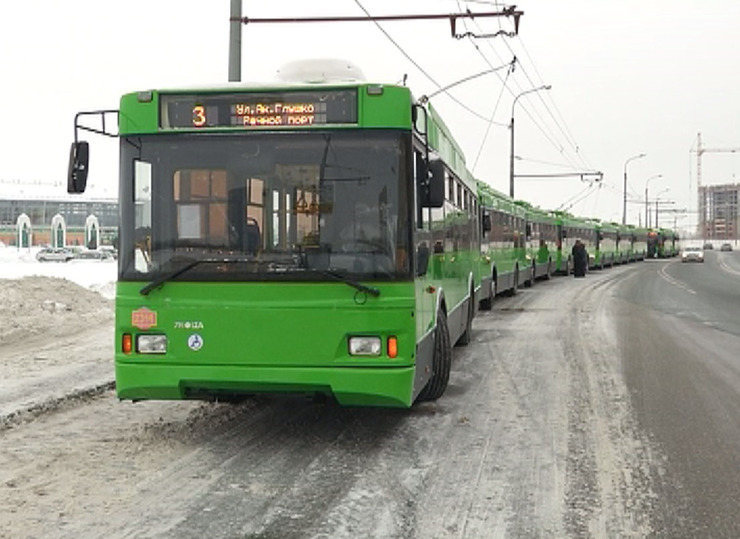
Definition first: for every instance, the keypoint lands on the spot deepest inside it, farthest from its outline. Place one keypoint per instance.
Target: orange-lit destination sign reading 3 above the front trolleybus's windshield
(258, 110)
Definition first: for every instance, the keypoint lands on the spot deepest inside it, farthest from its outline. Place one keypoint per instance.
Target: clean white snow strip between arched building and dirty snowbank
(96, 275)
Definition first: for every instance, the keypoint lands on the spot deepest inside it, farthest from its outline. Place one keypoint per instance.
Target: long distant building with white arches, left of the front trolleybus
(58, 221)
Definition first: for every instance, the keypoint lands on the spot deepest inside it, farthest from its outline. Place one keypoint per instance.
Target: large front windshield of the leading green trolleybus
(285, 206)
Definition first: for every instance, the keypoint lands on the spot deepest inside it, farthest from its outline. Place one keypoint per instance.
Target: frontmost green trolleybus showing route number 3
(314, 237)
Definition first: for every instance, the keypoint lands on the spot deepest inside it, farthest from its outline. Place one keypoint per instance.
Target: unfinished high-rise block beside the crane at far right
(718, 211)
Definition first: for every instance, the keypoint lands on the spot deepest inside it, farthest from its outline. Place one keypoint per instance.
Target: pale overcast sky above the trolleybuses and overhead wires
(628, 77)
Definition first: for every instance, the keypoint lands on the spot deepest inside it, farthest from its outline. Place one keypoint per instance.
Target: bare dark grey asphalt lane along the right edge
(679, 329)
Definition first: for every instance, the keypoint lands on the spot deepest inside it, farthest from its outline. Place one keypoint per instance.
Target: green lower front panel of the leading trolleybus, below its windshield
(268, 337)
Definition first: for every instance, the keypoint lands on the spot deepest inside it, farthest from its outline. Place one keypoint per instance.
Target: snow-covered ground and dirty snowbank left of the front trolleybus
(56, 329)
